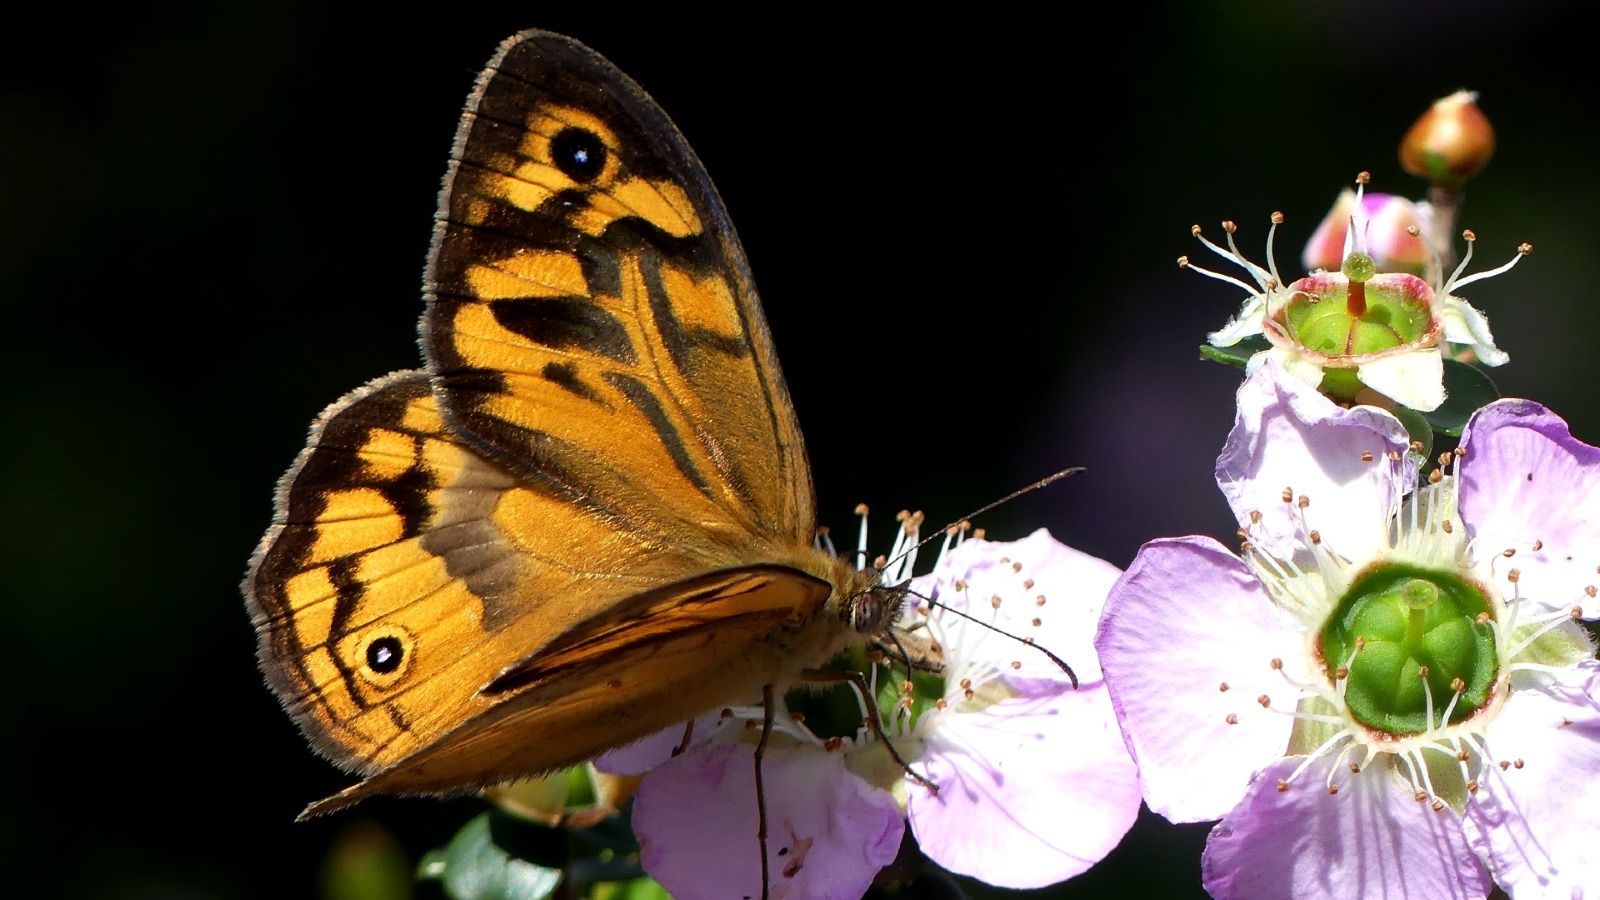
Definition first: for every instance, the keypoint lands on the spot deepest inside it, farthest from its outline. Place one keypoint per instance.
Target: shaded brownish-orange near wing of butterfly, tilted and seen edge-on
(628, 675)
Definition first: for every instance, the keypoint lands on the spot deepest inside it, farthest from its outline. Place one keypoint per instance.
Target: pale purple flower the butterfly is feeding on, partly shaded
(1034, 782)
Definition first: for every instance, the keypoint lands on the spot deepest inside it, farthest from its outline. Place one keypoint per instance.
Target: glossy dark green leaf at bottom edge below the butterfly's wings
(479, 866)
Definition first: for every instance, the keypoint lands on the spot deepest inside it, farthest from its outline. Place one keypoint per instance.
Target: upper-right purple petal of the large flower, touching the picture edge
(1527, 484)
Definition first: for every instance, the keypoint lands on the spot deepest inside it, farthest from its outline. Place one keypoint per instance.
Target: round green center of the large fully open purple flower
(1407, 633)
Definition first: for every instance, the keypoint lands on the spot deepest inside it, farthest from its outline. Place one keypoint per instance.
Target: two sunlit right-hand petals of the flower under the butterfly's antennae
(1034, 782)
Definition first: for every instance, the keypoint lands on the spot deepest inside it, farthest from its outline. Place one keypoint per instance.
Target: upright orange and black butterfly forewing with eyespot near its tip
(591, 319)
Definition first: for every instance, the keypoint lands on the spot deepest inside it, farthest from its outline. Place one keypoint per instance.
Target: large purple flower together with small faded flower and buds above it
(1390, 689)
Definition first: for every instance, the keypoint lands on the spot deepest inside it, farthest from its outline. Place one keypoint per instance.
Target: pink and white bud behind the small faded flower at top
(1388, 223)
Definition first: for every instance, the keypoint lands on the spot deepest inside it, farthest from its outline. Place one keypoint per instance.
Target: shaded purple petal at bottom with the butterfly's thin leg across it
(830, 832)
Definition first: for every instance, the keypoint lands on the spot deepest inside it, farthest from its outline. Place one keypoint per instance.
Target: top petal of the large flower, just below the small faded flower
(1289, 436)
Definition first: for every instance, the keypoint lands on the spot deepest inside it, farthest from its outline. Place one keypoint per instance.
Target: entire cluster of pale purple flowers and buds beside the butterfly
(1388, 691)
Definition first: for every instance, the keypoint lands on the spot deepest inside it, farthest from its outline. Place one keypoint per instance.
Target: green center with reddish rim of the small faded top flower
(1356, 316)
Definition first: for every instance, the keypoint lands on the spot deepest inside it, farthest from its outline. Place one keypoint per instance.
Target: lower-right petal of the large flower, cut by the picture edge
(1534, 822)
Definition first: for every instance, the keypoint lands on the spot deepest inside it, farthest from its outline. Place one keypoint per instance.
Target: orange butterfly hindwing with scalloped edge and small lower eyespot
(406, 574)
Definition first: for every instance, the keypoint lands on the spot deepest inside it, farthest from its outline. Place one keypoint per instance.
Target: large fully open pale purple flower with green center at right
(1217, 665)
